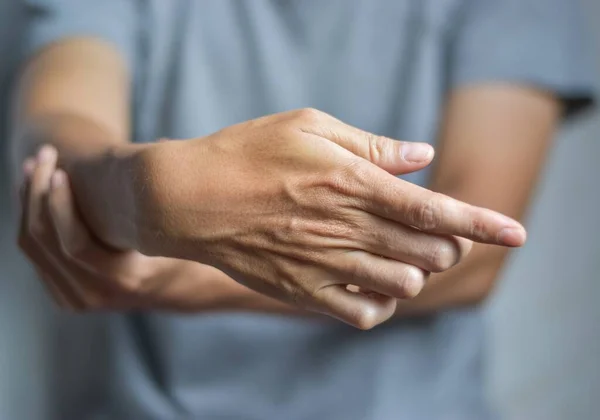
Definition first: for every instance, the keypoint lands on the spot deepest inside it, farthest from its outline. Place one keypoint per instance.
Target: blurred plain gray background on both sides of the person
(544, 333)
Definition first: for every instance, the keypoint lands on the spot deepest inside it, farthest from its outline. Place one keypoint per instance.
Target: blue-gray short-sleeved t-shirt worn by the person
(384, 66)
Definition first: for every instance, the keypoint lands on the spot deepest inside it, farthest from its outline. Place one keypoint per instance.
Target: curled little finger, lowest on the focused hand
(357, 309)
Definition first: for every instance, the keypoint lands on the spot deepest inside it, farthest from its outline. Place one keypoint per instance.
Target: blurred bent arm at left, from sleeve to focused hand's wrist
(75, 96)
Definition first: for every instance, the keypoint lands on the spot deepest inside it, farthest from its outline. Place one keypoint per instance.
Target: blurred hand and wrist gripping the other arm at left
(82, 274)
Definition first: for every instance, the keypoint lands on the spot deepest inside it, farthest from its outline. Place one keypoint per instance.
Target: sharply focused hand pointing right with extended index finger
(299, 205)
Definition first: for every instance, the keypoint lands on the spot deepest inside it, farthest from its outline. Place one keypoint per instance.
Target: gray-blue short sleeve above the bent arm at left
(113, 21)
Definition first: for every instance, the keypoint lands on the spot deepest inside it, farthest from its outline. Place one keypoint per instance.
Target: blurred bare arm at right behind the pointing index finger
(494, 141)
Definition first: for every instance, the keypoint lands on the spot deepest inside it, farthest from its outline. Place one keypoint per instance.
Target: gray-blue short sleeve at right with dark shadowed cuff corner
(542, 43)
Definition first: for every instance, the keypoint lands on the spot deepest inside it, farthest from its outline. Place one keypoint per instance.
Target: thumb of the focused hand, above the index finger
(394, 156)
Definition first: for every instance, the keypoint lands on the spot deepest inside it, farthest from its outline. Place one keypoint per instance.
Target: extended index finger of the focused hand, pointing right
(401, 201)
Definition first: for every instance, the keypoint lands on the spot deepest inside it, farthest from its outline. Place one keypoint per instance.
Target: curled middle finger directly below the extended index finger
(431, 252)
